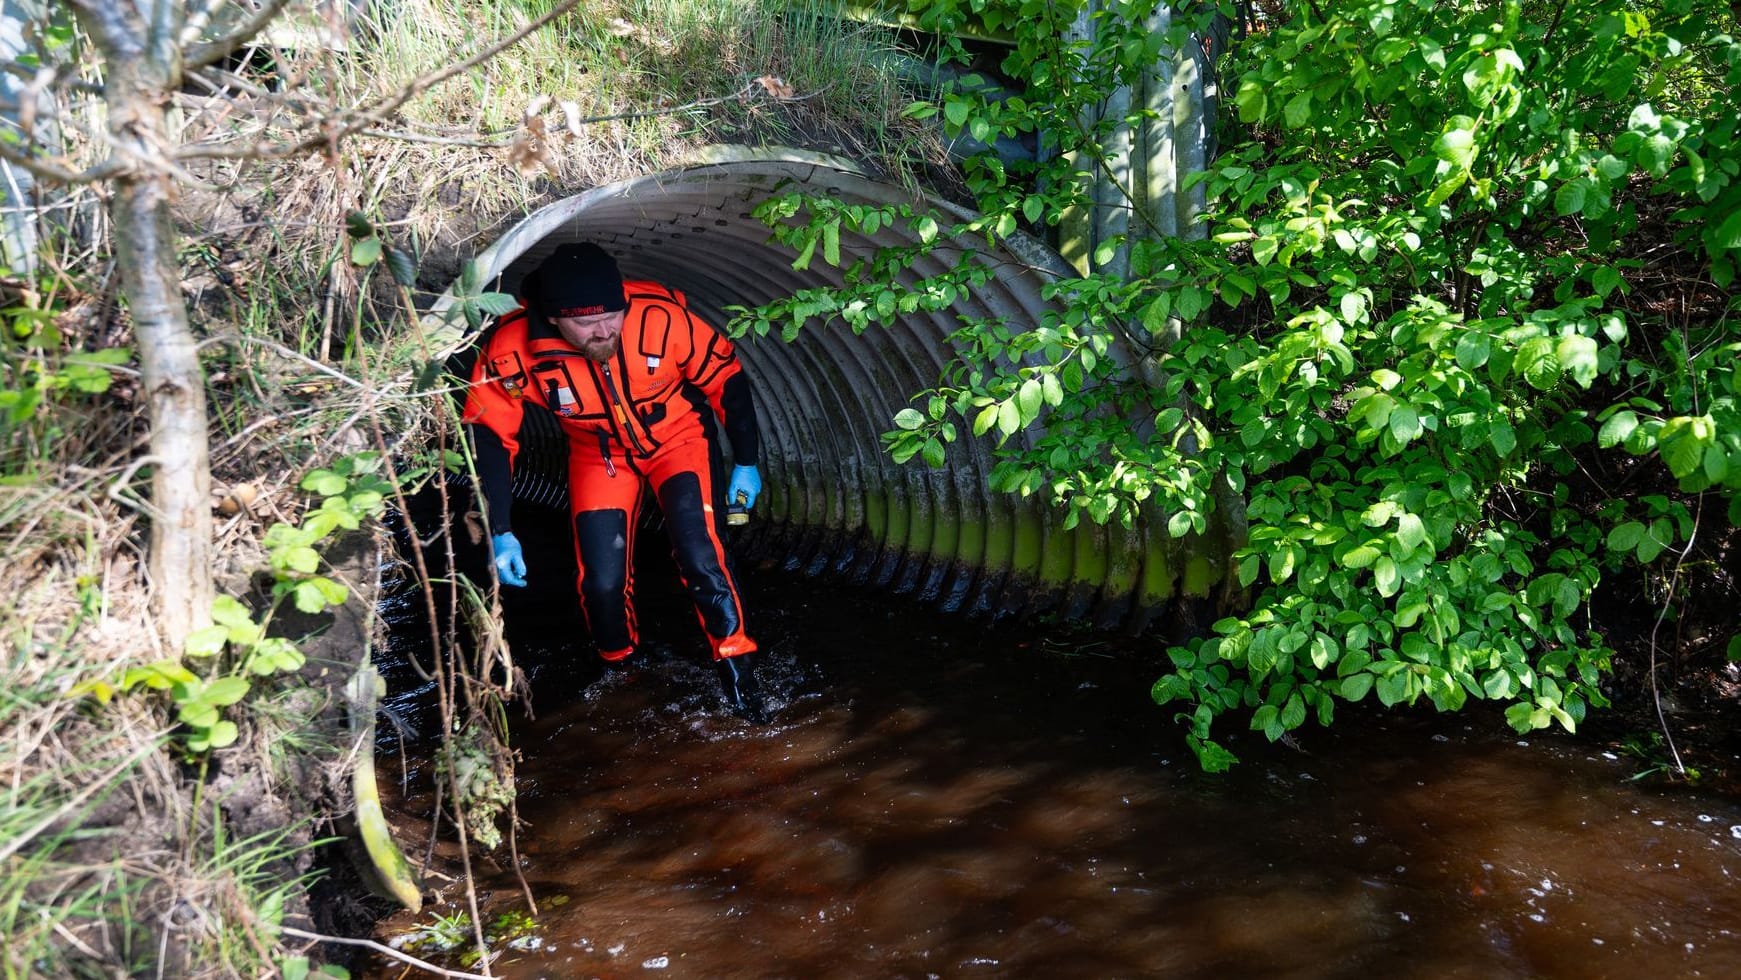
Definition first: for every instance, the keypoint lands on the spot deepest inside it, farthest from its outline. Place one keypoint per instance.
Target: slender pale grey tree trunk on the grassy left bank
(173, 380)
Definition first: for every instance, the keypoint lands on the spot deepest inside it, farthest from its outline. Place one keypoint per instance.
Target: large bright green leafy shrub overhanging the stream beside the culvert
(1465, 264)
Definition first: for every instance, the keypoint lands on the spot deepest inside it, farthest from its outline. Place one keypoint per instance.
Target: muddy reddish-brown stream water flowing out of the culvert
(943, 798)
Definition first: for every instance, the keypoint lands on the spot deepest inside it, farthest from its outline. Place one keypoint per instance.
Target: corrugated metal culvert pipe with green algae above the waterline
(835, 504)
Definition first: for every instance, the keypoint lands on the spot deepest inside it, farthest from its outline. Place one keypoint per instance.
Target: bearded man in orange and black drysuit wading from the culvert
(636, 382)
